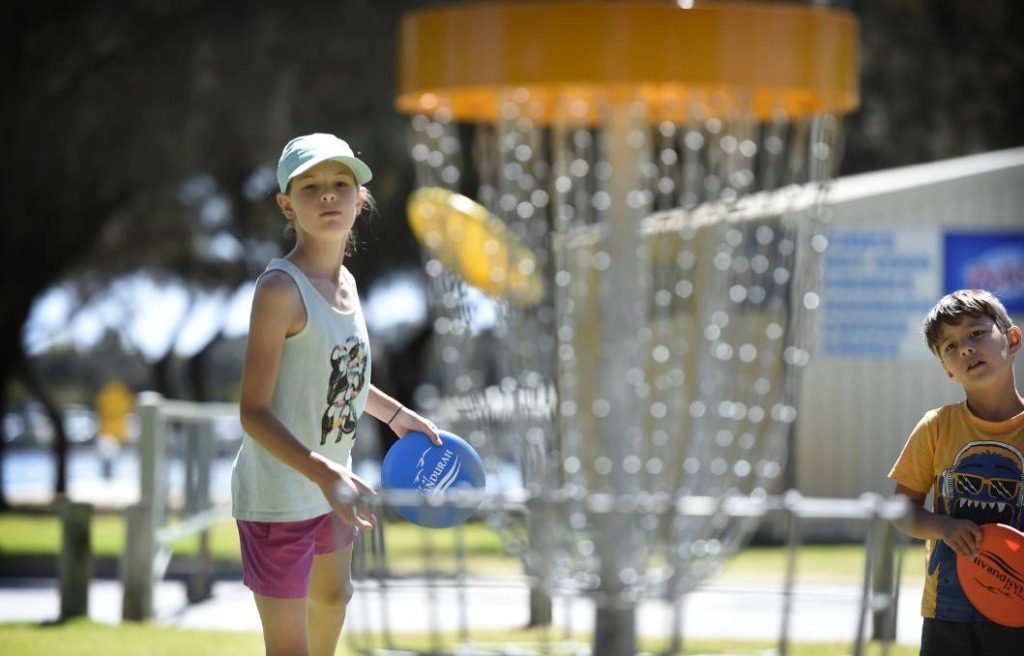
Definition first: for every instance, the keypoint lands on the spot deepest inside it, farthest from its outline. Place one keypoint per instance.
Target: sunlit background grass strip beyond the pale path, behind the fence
(39, 535)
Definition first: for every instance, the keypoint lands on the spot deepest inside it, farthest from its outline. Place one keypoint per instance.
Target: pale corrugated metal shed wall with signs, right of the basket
(899, 241)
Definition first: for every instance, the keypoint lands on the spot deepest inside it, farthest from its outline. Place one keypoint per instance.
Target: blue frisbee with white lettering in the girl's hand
(414, 463)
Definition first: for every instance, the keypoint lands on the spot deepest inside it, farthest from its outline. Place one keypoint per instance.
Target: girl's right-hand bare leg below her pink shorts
(330, 591)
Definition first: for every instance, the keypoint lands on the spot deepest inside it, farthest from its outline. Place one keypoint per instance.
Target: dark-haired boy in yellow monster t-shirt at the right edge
(969, 456)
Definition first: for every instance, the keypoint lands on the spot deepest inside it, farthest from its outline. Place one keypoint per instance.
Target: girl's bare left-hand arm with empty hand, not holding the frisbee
(278, 313)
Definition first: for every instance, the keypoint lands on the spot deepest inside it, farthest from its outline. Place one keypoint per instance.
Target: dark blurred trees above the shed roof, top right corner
(940, 79)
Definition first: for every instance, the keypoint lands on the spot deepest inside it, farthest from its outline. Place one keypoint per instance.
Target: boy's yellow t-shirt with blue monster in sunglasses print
(974, 470)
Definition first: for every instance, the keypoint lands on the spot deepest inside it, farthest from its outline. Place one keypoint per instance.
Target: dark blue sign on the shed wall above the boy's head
(993, 261)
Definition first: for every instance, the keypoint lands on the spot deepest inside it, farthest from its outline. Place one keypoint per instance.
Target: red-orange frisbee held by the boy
(994, 580)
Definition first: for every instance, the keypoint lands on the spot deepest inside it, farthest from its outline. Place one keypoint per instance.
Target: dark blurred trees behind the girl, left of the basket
(144, 138)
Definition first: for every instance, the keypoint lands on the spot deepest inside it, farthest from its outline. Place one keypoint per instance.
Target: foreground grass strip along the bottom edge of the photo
(90, 639)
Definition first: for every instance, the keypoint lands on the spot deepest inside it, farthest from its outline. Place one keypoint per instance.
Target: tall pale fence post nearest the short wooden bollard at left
(143, 520)
